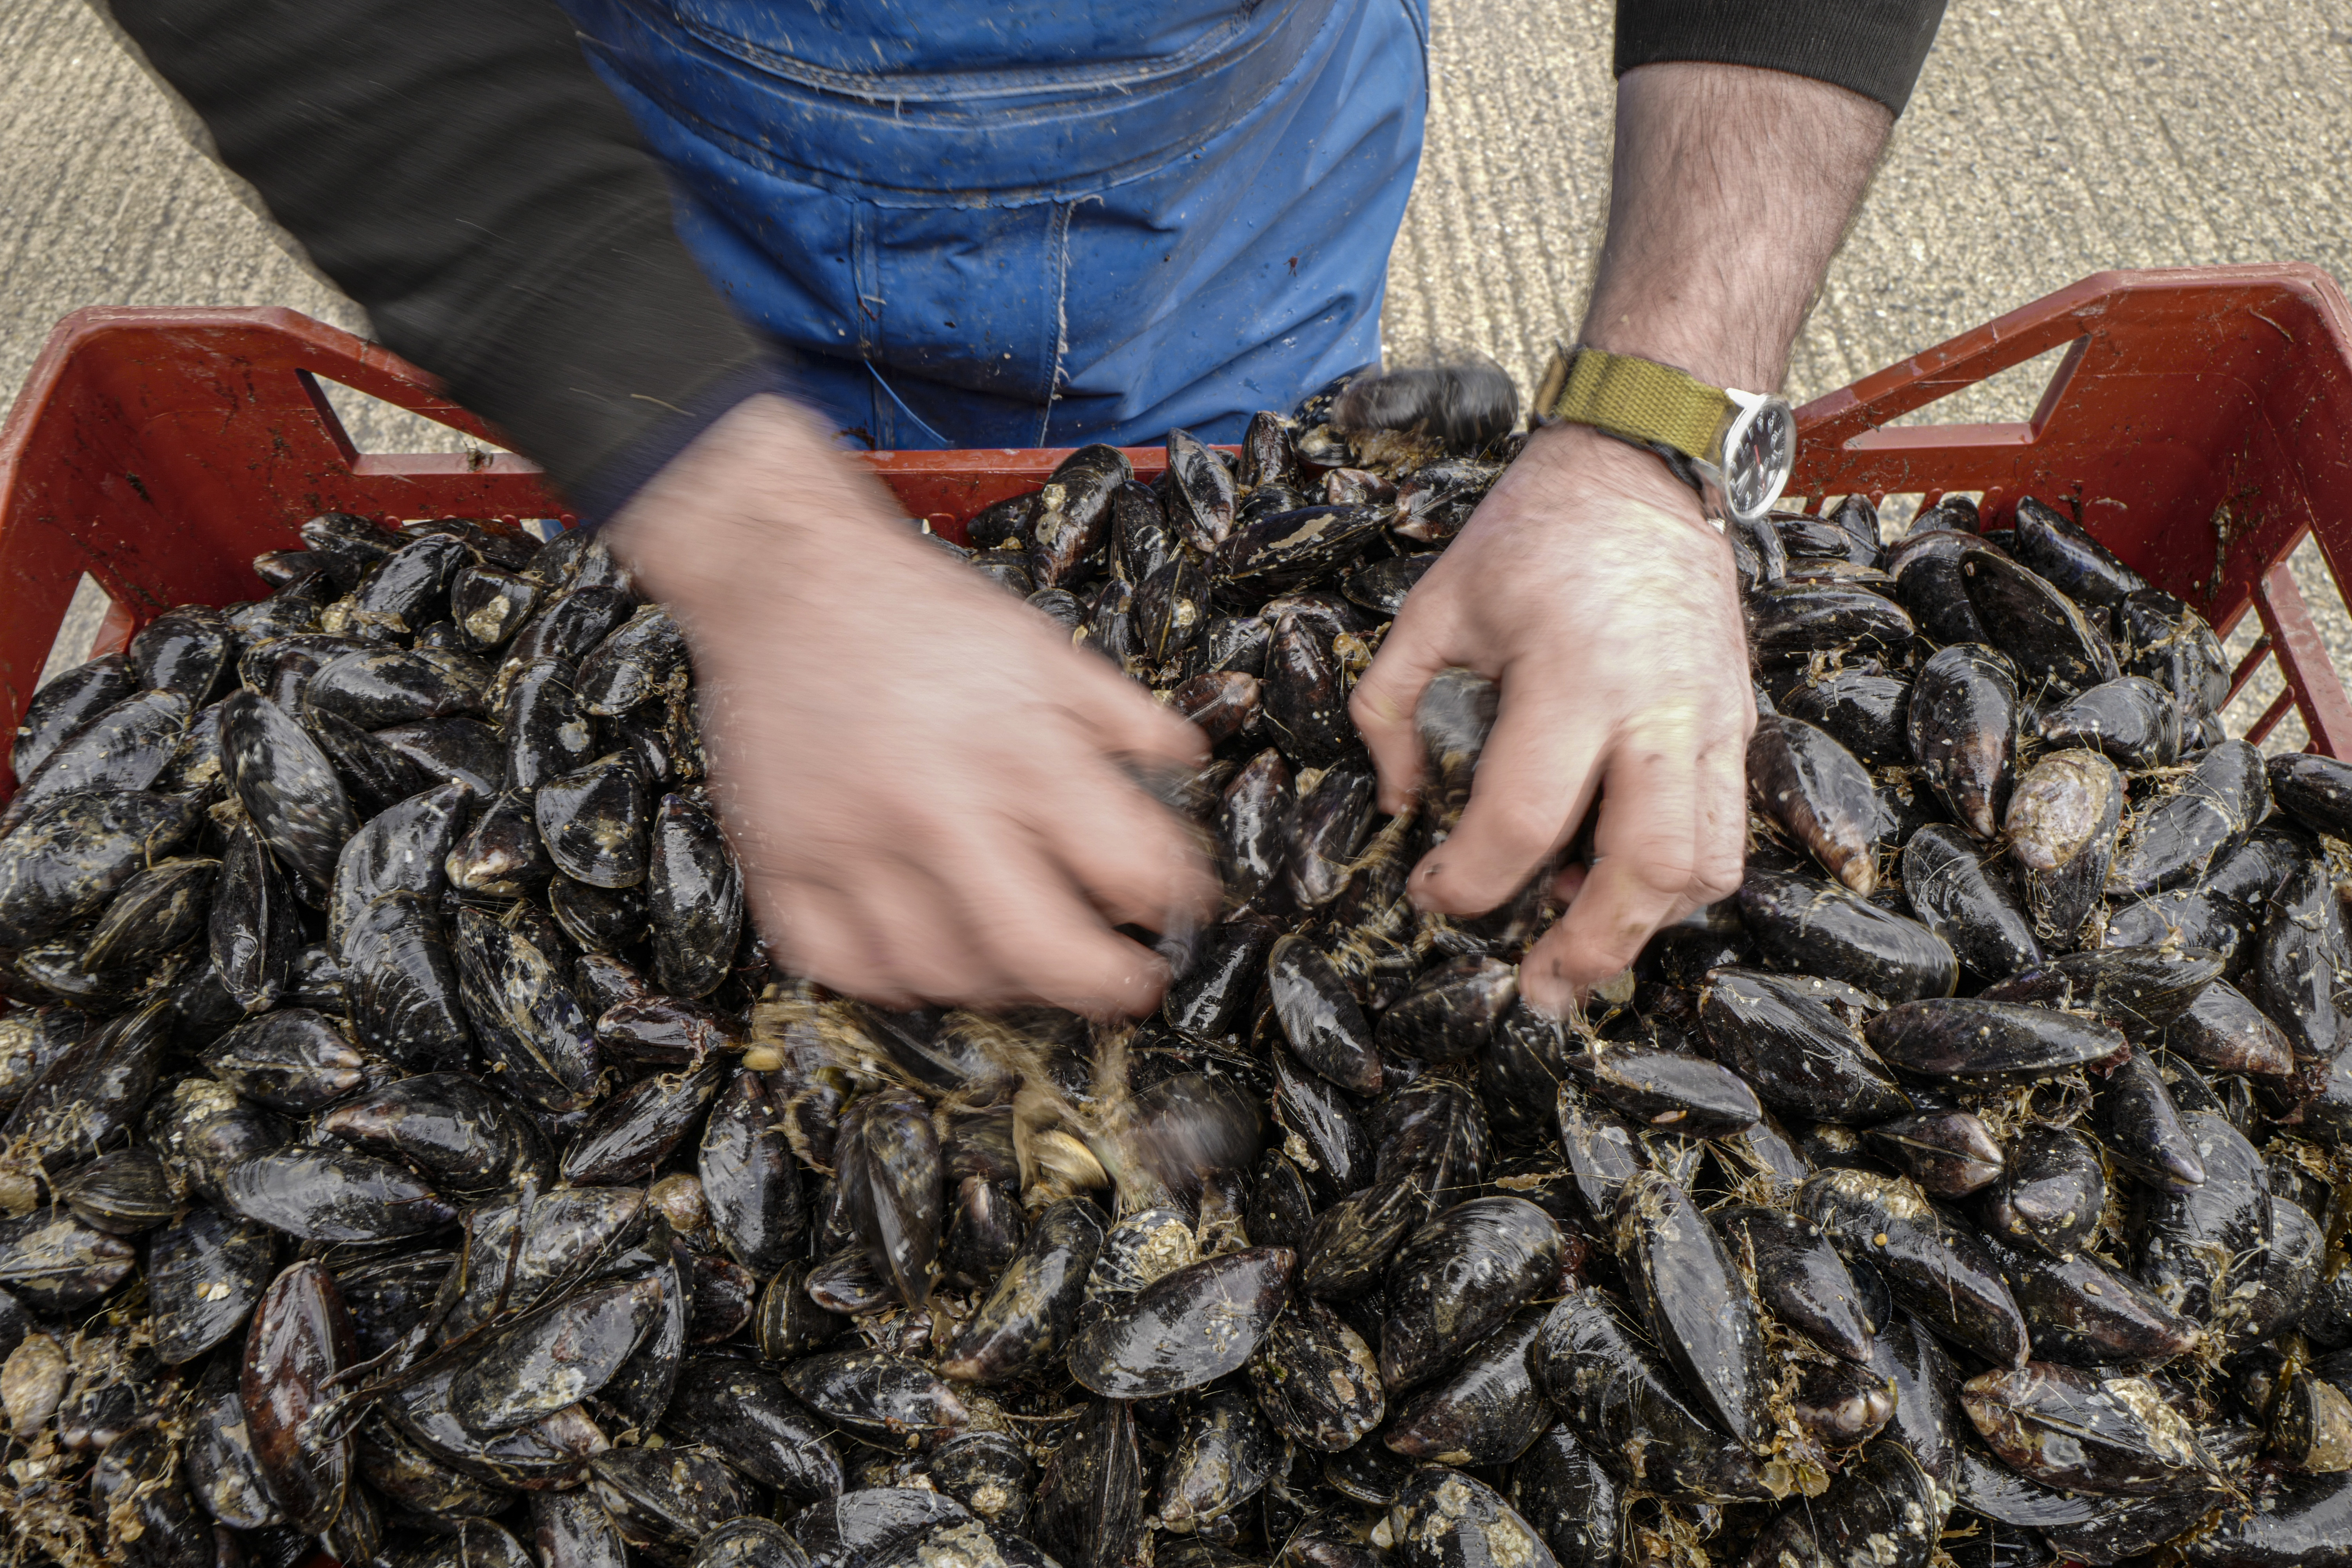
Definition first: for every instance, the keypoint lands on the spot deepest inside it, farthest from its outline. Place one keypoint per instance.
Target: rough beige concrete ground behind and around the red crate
(2047, 140)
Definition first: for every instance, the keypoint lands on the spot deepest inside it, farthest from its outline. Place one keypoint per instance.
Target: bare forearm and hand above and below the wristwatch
(1586, 582)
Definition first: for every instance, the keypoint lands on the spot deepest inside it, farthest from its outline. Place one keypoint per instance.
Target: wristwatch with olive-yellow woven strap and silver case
(1737, 450)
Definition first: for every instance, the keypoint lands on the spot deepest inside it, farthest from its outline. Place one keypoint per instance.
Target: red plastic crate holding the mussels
(2203, 424)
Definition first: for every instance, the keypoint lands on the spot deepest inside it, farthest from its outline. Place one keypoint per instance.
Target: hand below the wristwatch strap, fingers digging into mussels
(1605, 605)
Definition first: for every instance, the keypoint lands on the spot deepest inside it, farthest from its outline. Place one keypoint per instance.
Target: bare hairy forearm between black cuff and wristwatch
(1730, 194)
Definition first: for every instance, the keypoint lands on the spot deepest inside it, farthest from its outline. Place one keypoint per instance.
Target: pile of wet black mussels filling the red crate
(410, 1153)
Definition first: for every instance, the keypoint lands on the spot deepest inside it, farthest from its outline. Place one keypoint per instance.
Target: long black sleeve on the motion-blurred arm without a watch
(460, 170)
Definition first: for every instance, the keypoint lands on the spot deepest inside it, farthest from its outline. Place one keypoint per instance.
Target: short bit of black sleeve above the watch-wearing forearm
(1873, 48)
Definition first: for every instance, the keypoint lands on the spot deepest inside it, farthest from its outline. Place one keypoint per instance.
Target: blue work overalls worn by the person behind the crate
(1036, 222)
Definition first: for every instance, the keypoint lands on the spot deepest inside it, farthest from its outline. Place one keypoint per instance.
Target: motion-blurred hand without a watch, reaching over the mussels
(921, 775)
